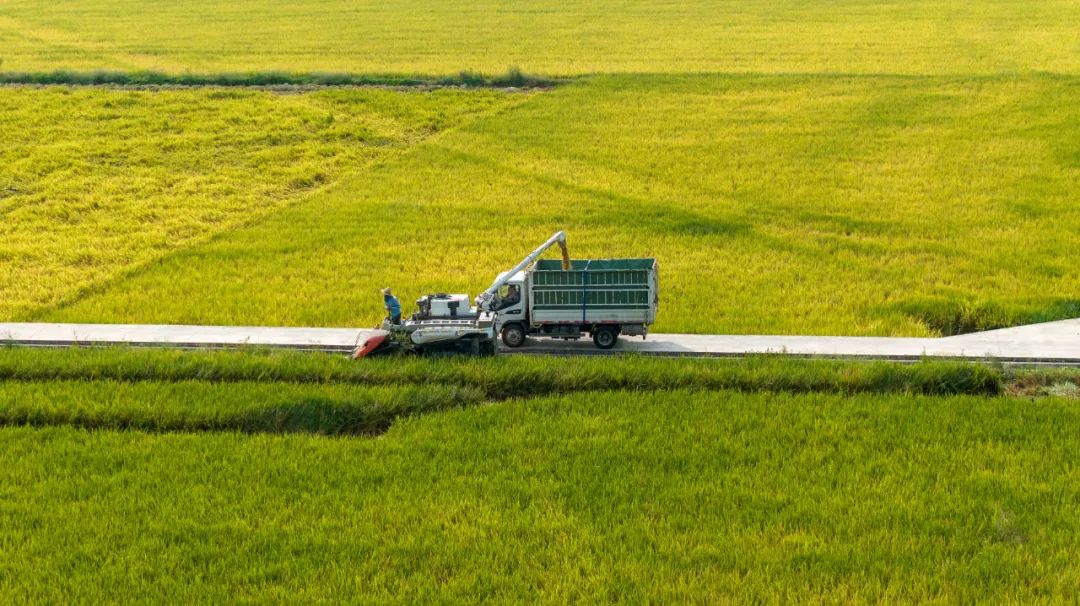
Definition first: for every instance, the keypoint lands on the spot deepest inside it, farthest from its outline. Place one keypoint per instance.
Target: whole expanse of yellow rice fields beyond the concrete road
(903, 169)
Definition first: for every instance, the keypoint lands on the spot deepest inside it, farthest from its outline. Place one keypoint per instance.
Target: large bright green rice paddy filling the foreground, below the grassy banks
(672, 497)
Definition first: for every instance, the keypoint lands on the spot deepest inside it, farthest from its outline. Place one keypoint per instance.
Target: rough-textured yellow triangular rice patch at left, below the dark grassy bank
(96, 183)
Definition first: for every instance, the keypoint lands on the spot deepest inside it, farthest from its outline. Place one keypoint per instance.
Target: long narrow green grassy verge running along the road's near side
(505, 376)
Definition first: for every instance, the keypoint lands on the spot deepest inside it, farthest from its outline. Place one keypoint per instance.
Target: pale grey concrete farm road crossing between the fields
(1048, 344)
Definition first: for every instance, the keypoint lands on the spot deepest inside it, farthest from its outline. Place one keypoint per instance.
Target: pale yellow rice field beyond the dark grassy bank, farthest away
(564, 38)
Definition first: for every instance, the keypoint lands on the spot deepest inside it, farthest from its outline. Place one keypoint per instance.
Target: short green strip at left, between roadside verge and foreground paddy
(246, 408)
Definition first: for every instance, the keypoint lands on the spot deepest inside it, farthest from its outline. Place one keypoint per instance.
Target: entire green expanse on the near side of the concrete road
(759, 480)
